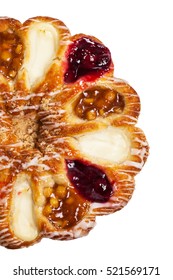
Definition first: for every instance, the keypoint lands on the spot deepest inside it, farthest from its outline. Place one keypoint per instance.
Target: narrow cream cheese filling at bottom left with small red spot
(23, 221)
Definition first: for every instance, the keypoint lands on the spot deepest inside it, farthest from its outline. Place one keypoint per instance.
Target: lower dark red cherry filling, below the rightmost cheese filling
(89, 181)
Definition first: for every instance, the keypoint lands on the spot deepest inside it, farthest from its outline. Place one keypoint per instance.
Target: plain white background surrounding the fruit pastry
(139, 35)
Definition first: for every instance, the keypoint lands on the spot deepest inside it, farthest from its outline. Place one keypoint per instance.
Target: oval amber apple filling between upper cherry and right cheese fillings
(99, 101)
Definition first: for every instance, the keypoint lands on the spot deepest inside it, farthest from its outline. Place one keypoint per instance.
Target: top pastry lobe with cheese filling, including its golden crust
(45, 40)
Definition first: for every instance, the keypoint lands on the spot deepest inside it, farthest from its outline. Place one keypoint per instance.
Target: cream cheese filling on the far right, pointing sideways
(111, 144)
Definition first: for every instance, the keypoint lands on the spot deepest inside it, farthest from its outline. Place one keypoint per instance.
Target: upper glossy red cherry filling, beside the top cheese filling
(86, 57)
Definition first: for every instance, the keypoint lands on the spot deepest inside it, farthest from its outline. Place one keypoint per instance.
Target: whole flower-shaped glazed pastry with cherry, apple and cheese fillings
(69, 147)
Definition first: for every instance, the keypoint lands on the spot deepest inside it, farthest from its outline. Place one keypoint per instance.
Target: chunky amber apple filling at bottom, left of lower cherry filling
(63, 207)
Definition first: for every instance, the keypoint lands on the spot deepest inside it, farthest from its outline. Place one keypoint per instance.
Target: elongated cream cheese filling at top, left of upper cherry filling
(41, 50)
